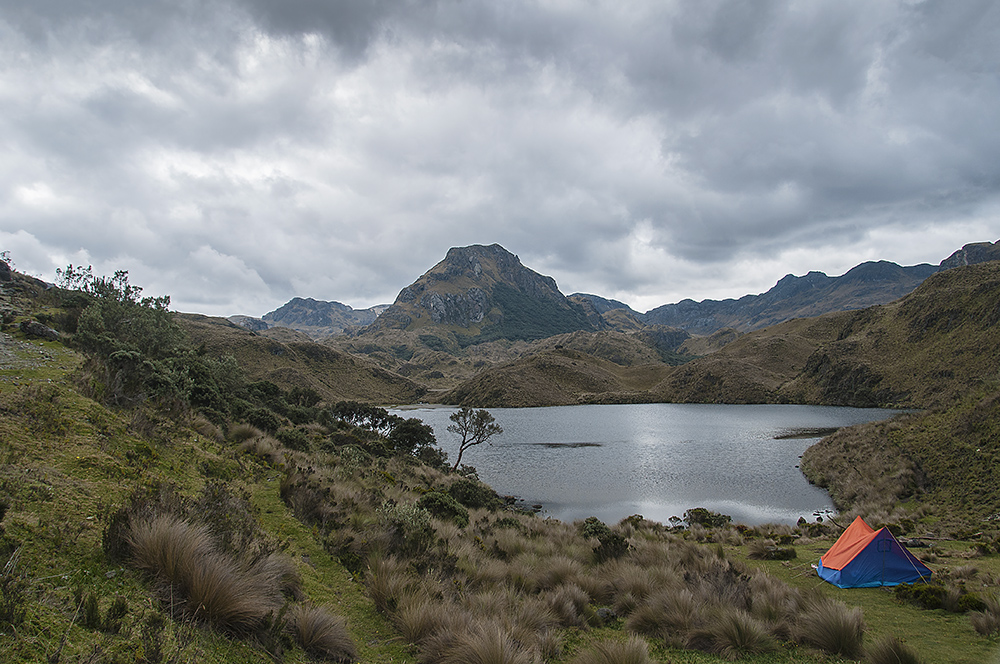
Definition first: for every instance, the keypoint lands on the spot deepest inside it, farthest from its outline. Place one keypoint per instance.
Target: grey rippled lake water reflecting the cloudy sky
(657, 460)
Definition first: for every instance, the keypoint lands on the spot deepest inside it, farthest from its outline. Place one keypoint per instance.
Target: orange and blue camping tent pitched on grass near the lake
(866, 558)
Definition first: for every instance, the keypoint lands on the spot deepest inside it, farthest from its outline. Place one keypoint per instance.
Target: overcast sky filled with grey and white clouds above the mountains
(237, 153)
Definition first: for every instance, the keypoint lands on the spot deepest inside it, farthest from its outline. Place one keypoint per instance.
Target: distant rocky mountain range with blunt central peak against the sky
(482, 293)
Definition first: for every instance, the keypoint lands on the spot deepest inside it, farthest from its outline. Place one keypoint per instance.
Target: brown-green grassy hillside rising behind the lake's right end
(925, 349)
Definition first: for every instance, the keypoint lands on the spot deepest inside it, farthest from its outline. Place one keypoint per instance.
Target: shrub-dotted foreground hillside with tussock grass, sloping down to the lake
(144, 532)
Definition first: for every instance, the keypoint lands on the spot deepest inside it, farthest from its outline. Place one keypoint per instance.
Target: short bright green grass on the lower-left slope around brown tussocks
(66, 460)
